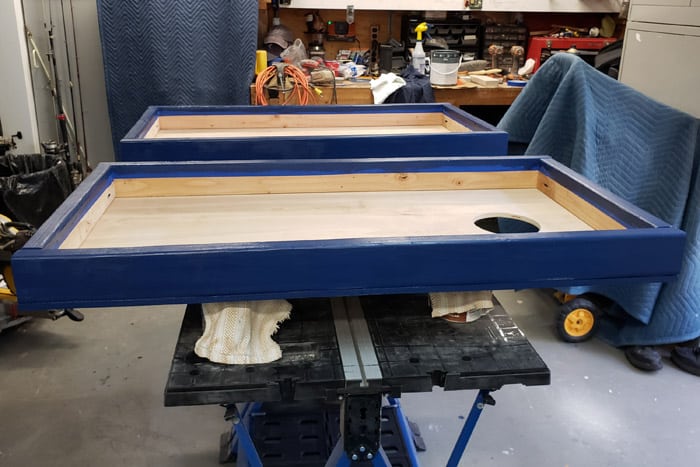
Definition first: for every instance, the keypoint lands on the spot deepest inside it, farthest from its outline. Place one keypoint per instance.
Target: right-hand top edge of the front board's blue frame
(616, 207)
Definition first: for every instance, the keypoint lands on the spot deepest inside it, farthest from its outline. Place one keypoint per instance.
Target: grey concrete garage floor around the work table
(91, 393)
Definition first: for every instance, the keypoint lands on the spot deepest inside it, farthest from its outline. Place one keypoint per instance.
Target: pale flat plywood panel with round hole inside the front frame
(131, 222)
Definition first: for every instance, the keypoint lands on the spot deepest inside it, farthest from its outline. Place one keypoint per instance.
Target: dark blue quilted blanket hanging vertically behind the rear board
(175, 52)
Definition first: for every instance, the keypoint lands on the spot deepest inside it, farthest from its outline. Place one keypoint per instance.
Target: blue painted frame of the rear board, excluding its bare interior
(483, 140)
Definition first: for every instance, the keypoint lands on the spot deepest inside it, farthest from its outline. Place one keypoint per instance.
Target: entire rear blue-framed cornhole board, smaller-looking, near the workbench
(299, 132)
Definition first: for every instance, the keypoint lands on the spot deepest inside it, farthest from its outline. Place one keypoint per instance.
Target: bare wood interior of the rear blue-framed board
(238, 126)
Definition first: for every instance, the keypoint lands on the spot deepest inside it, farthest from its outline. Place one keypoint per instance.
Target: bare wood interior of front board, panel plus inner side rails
(209, 210)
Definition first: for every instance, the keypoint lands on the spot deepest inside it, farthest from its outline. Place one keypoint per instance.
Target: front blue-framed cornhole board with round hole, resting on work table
(150, 233)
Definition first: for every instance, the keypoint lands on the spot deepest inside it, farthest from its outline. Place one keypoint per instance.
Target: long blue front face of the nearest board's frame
(193, 274)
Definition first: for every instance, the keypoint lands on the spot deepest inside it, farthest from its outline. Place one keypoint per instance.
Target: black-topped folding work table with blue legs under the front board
(341, 356)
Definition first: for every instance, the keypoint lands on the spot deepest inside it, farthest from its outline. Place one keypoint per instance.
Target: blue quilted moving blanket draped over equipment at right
(641, 150)
